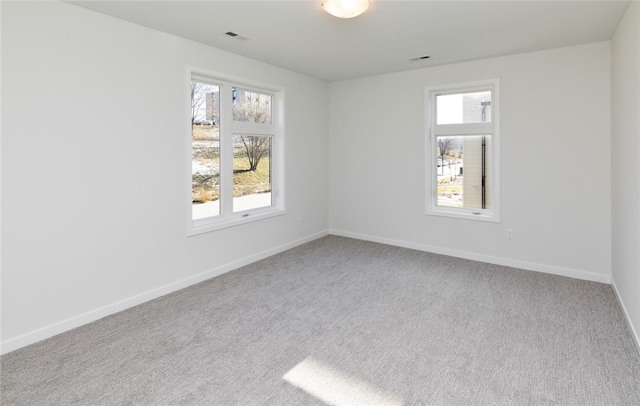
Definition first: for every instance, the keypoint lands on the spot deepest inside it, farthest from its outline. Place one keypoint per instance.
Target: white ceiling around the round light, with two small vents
(298, 35)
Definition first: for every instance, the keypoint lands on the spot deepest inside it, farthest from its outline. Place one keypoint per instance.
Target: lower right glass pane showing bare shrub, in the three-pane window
(251, 172)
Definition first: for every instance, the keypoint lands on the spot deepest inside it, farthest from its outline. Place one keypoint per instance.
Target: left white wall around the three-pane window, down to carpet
(93, 209)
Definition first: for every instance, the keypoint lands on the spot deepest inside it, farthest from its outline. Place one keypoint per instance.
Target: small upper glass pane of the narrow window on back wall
(463, 108)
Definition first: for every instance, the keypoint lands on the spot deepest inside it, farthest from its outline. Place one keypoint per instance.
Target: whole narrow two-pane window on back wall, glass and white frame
(462, 154)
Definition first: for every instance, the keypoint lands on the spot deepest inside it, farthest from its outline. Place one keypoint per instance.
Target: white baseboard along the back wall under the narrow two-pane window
(530, 266)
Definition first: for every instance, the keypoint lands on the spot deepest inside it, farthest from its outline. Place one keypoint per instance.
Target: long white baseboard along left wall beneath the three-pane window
(93, 315)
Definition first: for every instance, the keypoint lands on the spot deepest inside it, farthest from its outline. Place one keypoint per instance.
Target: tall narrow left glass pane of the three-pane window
(205, 150)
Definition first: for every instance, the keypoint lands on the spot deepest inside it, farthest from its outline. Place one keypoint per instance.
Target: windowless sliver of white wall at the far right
(625, 147)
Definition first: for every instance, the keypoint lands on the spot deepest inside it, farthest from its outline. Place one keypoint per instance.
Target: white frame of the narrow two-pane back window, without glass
(433, 130)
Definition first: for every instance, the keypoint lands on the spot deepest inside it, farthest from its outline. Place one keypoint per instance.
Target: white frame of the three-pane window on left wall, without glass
(229, 127)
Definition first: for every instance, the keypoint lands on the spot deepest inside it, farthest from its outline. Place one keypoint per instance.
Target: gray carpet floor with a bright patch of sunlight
(346, 322)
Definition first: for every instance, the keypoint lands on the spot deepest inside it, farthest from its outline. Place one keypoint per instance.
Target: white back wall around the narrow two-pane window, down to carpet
(555, 153)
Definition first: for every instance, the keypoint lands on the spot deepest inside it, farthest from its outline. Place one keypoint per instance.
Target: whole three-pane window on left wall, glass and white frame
(235, 145)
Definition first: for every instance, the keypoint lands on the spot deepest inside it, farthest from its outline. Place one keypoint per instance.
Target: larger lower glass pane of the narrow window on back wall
(463, 167)
